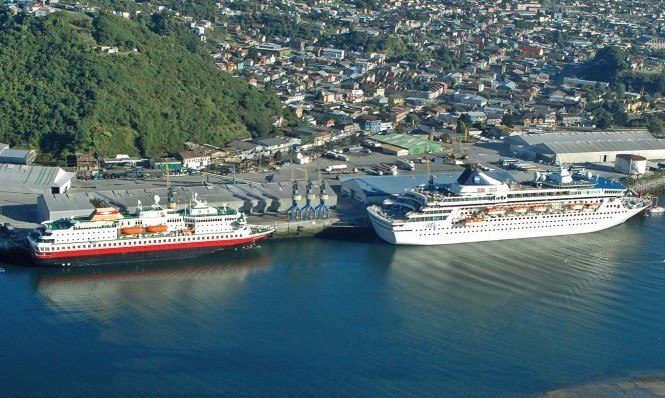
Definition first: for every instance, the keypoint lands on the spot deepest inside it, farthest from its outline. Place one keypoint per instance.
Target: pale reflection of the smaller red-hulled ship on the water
(148, 288)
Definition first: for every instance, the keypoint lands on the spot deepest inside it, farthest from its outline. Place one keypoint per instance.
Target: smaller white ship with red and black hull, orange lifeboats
(150, 230)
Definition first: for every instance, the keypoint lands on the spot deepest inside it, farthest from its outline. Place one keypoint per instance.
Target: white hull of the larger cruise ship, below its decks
(492, 229)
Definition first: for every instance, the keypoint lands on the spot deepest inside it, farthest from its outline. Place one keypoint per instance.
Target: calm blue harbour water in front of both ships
(319, 318)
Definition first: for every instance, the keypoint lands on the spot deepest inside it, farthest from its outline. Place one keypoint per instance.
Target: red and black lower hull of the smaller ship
(188, 248)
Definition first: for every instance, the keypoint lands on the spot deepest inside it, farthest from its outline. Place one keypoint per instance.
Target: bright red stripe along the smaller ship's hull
(150, 247)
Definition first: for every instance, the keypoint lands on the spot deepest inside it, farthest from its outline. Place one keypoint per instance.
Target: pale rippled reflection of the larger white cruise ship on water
(480, 277)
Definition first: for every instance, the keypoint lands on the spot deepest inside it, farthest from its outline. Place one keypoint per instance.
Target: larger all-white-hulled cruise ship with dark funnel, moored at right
(478, 208)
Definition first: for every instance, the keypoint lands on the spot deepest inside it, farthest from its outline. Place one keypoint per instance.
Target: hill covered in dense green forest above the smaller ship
(60, 93)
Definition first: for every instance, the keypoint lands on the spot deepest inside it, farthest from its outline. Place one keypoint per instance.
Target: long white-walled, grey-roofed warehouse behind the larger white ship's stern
(586, 146)
